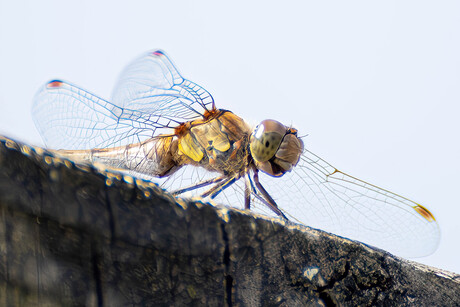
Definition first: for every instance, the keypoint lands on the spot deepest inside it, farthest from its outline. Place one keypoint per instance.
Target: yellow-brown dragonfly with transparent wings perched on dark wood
(163, 126)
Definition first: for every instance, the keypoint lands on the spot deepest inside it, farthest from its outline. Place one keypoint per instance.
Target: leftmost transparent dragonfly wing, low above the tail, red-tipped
(68, 117)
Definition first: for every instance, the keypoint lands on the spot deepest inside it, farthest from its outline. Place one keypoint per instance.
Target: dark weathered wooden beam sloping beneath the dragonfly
(78, 235)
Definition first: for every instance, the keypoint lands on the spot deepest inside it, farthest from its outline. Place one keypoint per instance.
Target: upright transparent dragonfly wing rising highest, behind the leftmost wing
(151, 83)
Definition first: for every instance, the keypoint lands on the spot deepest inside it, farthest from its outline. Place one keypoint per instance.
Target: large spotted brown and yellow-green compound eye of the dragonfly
(266, 139)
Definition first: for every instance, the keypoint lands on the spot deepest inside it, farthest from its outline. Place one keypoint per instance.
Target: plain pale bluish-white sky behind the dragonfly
(374, 85)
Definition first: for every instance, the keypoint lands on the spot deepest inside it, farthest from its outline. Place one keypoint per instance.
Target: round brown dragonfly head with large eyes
(275, 148)
